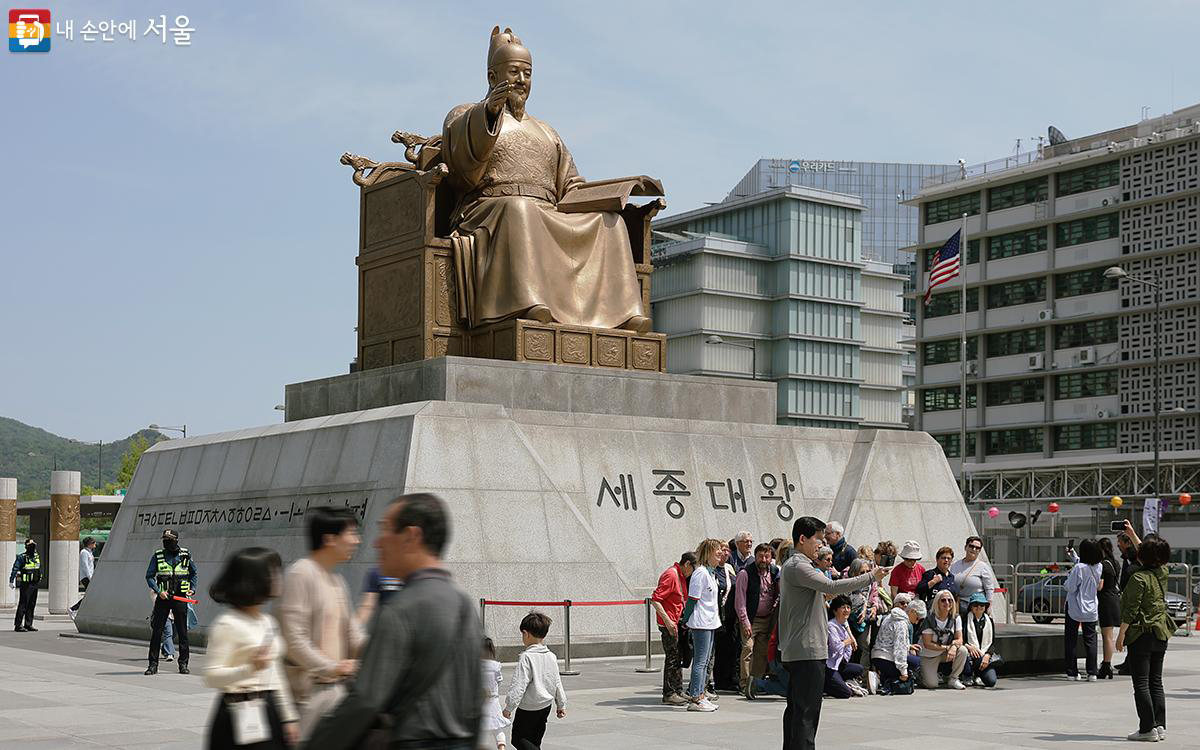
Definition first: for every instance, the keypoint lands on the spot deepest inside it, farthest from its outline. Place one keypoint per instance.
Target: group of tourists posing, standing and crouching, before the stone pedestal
(921, 626)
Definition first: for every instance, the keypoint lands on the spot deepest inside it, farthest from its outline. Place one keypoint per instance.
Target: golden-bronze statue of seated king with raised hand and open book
(529, 237)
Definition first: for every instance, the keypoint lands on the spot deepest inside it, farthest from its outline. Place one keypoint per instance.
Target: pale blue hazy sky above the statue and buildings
(179, 237)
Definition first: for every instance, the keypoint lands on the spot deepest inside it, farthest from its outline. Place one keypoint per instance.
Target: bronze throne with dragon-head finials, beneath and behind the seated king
(409, 305)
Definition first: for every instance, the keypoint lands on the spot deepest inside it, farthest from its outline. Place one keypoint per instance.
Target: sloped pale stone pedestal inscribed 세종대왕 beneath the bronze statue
(547, 503)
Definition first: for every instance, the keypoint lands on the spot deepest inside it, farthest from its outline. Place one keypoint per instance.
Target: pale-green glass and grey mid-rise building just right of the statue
(778, 278)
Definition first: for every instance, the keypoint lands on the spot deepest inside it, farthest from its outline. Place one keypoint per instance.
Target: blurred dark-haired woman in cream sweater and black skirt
(255, 710)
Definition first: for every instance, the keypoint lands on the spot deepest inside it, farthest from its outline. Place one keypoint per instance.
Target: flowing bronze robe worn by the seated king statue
(513, 248)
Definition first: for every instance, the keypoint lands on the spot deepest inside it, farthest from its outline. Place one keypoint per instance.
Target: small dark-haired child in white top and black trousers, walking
(536, 686)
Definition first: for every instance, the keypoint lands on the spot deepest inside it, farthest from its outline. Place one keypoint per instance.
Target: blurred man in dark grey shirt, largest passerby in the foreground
(421, 674)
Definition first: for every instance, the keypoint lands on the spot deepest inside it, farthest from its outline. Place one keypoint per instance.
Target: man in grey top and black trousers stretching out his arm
(803, 634)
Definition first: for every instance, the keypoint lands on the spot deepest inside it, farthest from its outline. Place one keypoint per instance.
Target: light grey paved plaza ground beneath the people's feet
(61, 693)
